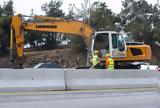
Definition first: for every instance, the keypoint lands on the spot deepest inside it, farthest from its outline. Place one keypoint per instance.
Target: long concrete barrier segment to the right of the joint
(103, 79)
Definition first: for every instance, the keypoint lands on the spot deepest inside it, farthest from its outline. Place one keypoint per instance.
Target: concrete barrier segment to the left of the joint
(13, 80)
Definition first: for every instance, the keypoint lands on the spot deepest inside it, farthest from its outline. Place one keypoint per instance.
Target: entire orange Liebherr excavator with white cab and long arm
(104, 41)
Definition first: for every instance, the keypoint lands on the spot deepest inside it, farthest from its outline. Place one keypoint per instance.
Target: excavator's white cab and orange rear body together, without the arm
(113, 43)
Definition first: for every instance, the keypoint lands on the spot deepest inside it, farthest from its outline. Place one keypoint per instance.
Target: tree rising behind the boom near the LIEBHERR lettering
(52, 9)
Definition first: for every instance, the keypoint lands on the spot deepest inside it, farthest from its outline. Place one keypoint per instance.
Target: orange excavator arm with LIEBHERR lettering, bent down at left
(46, 24)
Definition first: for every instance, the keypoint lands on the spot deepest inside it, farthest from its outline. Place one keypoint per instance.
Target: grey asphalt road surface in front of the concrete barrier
(82, 99)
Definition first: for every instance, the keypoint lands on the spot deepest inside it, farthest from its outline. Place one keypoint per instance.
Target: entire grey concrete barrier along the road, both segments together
(13, 80)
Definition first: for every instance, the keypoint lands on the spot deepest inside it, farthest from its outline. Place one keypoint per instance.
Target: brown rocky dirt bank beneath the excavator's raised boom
(67, 58)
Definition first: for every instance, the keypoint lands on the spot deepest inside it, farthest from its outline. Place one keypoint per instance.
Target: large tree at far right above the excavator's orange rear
(141, 20)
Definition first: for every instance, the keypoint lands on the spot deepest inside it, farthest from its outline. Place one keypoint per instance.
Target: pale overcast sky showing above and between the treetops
(25, 6)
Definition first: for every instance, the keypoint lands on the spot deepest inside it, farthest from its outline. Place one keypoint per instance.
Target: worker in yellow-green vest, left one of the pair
(95, 60)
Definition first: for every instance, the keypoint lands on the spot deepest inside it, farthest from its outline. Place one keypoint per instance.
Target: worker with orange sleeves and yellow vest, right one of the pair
(109, 62)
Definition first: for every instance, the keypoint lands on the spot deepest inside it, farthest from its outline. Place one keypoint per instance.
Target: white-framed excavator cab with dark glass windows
(109, 42)
